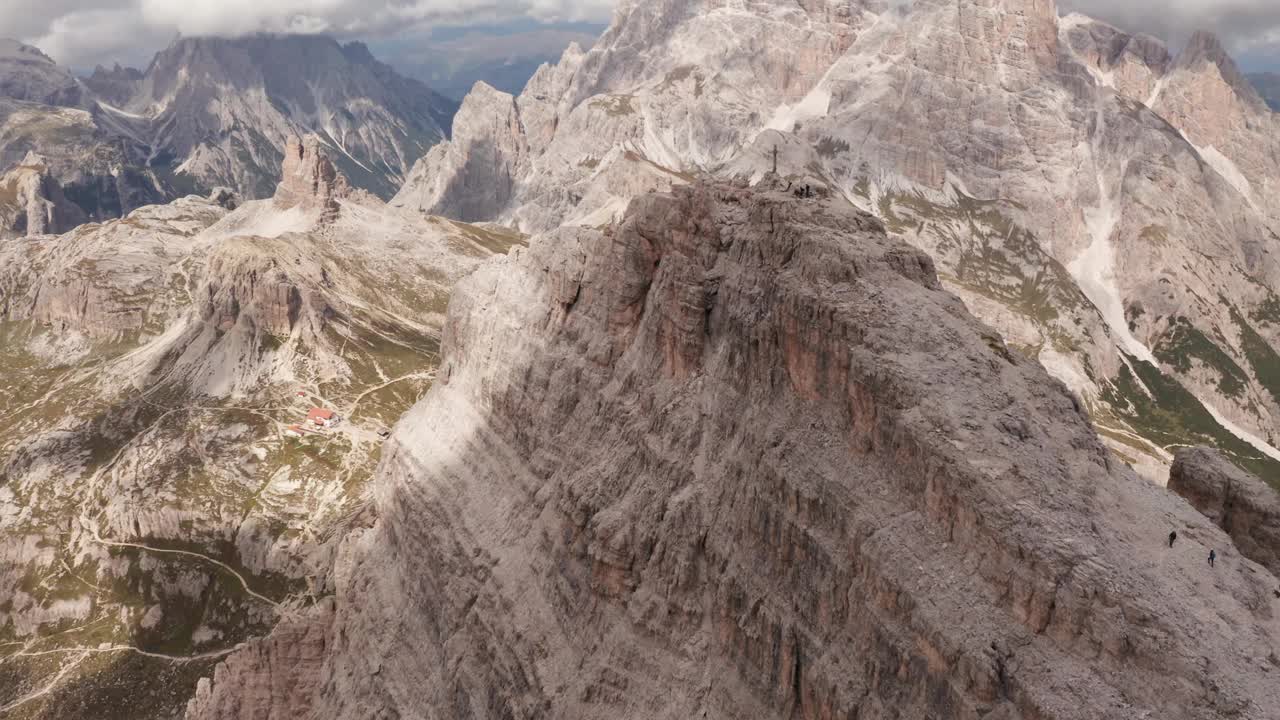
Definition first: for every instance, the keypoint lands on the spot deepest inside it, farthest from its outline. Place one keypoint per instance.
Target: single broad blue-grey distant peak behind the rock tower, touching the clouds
(313, 84)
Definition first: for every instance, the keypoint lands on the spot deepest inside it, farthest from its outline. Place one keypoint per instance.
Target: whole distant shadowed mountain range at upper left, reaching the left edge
(214, 113)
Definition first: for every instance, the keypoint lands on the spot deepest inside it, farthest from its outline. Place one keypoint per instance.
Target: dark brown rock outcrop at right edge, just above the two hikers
(1246, 508)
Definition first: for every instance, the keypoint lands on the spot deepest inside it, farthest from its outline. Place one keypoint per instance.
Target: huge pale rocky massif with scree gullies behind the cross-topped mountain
(1096, 198)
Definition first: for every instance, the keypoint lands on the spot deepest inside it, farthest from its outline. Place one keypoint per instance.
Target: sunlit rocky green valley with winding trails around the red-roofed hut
(166, 493)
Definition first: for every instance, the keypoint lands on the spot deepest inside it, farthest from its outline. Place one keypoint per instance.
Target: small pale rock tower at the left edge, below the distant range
(33, 203)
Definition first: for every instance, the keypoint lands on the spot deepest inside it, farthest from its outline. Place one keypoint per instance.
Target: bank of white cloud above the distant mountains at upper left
(84, 33)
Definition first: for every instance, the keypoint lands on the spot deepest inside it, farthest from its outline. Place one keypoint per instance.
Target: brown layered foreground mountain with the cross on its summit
(742, 457)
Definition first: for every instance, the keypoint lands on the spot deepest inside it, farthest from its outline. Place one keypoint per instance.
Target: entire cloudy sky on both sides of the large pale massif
(85, 33)
